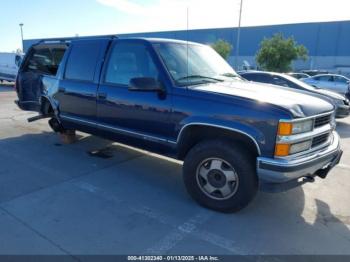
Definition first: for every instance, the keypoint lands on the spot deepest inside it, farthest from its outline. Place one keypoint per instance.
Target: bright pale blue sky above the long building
(58, 18)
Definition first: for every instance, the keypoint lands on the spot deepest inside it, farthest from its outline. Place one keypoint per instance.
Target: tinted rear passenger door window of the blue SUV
(82, 60)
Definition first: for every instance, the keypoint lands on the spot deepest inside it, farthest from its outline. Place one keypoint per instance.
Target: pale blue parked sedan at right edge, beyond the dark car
(332, 82)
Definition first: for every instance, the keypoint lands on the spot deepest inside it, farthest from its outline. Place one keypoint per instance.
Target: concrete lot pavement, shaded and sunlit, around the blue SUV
(64, 199)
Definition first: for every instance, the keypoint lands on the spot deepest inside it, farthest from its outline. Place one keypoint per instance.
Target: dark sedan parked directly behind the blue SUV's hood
(341, 103)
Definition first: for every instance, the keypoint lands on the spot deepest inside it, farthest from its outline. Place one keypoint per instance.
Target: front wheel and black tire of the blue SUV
(220, 176)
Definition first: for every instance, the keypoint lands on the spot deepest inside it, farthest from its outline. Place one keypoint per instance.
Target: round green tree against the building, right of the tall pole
(277, 53)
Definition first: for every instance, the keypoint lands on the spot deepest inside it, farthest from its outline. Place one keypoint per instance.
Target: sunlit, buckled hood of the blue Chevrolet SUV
(299, 104)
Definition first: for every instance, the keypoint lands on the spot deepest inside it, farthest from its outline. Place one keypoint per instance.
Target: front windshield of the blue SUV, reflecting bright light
(203, 64)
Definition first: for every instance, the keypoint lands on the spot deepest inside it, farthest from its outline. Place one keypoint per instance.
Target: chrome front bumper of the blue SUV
(278, 171)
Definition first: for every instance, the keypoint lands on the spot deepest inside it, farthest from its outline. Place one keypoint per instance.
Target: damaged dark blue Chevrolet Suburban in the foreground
(182, 100)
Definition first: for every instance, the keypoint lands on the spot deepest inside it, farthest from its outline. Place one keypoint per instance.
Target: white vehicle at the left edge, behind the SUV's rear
(9, 64)
